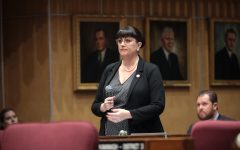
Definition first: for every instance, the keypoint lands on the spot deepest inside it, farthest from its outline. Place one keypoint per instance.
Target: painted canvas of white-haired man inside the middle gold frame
(168, 46)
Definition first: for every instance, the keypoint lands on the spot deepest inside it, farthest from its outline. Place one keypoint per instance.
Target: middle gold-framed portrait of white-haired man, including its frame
(168, 47)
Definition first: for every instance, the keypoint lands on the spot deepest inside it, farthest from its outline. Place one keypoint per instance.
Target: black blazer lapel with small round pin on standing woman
(139, 74)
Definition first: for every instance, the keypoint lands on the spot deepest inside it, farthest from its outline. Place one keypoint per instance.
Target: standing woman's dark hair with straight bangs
(130, 31)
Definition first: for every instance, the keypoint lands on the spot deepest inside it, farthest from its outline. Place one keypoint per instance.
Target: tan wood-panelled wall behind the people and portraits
(41, 94)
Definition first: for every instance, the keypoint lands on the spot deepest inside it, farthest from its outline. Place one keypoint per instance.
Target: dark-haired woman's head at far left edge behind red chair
(7, 117)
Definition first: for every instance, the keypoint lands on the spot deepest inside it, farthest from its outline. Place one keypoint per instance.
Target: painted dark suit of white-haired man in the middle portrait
(168, 68)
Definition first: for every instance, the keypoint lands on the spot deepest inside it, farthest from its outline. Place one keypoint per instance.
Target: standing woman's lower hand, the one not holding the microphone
(118, 115)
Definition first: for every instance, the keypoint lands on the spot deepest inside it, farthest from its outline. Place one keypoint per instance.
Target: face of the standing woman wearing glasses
(128, 46)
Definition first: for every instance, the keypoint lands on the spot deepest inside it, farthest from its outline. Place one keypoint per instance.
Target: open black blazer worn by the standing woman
(146, 98)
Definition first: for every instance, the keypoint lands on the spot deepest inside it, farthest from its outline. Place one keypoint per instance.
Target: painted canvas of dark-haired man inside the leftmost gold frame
(97, 54)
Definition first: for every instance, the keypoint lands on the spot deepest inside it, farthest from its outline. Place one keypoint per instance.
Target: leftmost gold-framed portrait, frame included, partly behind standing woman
(94, 47)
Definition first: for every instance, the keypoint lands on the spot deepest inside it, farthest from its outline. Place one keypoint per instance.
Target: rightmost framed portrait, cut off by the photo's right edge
(224, 52)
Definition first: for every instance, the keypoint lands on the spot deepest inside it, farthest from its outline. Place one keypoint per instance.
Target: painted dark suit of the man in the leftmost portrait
(93, 68)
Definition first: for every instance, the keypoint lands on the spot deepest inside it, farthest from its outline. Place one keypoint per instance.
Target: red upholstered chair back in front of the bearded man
(215, 135)
